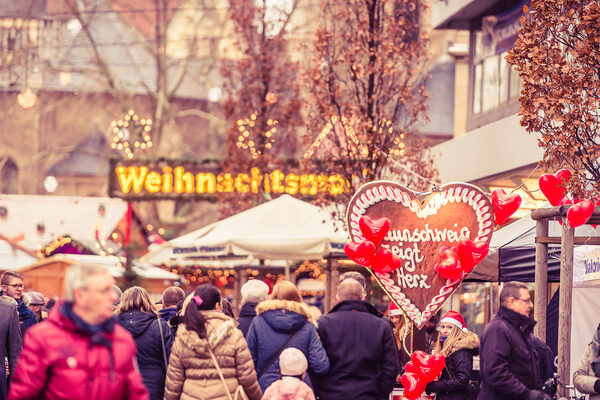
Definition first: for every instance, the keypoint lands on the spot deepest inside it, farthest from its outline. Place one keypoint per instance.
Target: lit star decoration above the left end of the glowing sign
(131, 133)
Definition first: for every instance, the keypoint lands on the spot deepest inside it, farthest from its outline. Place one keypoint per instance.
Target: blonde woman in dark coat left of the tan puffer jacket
(152, 335)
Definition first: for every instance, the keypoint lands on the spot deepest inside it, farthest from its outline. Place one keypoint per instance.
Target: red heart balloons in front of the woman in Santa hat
(419, 371)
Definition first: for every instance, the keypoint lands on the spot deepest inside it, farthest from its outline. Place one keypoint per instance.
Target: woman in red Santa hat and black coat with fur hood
(458, 346)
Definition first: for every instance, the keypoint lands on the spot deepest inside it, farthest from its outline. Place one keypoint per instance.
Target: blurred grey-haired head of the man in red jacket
(90, 288)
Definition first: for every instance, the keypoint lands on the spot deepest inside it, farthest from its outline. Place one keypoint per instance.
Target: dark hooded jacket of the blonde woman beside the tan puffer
(144, 329)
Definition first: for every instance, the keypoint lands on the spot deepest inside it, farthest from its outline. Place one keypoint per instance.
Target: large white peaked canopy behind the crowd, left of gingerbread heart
(282, 229)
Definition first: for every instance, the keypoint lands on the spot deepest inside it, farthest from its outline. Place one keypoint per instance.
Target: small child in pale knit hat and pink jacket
(292, 365)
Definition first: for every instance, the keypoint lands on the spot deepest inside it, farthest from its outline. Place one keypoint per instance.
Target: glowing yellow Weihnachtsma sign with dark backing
(170, 179)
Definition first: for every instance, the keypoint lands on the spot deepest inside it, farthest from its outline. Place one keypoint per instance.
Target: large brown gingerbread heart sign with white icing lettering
(418, 228)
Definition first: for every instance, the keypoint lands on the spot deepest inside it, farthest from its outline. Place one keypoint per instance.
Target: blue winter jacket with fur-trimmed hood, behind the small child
(276, 321)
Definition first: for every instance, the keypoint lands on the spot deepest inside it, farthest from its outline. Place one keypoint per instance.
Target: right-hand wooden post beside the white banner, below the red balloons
(564, 308)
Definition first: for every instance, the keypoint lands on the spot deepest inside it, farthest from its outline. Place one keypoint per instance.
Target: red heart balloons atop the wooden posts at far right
(553, 187)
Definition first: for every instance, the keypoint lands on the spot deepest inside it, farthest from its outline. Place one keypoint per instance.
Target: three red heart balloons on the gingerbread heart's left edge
(368, 253)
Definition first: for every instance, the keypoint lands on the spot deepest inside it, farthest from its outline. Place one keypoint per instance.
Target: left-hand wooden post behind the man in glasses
(541, 280)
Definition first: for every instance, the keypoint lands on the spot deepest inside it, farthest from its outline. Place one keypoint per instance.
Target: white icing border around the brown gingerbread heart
(448, 193)
